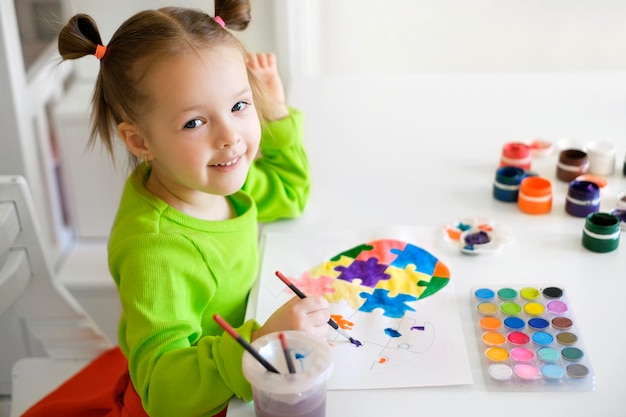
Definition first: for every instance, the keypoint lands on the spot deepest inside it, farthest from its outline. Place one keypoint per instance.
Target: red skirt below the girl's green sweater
(101, 389)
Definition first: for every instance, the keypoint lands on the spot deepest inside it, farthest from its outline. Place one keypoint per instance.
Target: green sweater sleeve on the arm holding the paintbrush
(176, 368)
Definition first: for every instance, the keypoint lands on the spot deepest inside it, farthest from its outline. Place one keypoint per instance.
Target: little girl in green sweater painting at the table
(215, 151)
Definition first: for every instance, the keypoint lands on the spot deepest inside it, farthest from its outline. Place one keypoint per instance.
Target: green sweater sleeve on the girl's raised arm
(279, 181)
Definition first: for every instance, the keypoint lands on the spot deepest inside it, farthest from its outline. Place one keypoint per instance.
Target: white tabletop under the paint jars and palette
(433, 142)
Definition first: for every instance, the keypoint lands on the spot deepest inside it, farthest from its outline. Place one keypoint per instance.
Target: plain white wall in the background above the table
(404, 36)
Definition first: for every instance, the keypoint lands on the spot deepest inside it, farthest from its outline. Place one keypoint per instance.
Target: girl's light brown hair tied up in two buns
(139, 43)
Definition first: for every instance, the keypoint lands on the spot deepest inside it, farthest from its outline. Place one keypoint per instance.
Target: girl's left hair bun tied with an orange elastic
(79, 37)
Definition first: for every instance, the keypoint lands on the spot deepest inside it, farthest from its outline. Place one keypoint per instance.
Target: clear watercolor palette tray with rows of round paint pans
(529, 339)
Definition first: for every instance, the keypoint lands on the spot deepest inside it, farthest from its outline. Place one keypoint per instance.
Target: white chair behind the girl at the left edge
(45, 335)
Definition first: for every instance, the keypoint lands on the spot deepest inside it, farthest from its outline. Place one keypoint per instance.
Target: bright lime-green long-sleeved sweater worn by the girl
(173, 272)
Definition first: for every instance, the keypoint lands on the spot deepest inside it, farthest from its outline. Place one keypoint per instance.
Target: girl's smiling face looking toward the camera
(202, 131)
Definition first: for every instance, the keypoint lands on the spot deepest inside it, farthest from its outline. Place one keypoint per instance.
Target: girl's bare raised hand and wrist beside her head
(264, 67)
